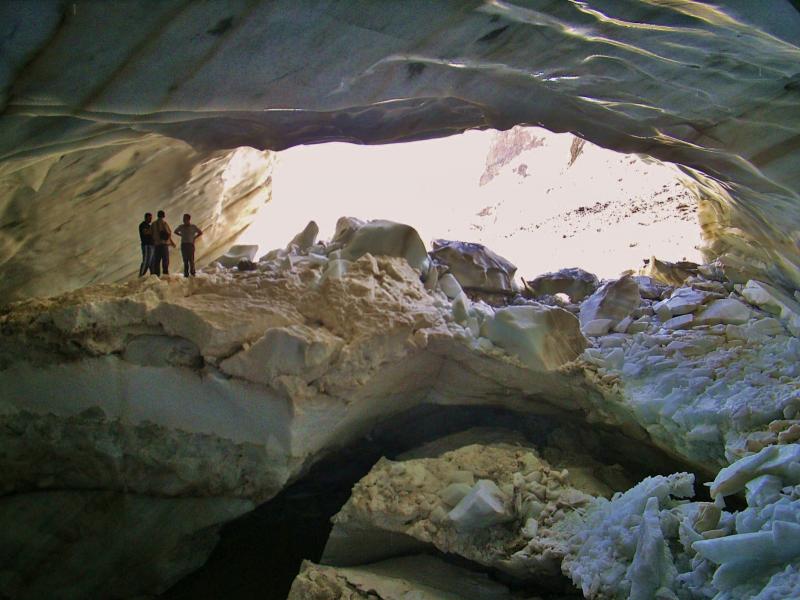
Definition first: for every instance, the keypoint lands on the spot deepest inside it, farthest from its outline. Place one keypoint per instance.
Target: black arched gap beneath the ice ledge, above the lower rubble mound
(260, 553)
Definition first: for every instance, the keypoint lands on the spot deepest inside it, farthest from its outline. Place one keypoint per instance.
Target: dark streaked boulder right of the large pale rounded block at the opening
(475, 266)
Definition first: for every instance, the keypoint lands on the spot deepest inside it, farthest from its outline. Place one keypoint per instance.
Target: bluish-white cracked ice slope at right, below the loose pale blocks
(704, 391)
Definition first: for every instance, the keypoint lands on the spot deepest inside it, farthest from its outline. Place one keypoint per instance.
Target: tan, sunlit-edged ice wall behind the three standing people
(70, 219)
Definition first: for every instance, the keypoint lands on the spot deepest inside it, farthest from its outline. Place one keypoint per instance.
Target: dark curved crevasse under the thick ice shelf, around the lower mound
(260, 553)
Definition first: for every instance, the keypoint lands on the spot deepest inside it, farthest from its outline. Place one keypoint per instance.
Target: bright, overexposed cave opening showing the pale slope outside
(543, 200)
